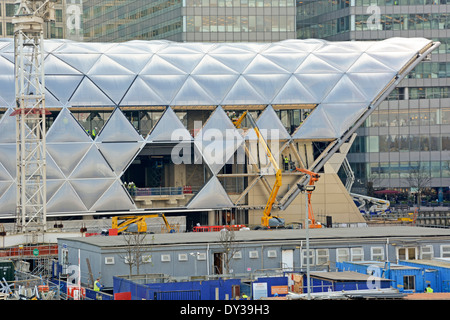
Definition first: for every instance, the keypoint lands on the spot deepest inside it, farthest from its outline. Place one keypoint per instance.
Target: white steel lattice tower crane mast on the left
(30, 112)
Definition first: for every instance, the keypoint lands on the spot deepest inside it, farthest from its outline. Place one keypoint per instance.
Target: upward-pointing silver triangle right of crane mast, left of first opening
(66, 129)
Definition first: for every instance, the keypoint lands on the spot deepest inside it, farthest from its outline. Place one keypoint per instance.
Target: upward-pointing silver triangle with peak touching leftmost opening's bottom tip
(93, 165)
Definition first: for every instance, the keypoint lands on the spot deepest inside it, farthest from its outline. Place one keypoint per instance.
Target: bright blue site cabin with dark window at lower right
(407, 279)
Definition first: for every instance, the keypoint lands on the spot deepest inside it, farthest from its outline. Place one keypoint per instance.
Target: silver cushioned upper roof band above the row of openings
(172, 70)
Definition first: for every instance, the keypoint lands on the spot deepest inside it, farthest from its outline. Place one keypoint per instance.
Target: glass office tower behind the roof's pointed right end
(410, 131)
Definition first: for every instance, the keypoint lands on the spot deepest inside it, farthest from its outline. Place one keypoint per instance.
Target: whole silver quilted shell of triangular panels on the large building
(344, 80)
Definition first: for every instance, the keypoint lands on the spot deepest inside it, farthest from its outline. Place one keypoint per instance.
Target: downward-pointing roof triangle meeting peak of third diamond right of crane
(166, 86)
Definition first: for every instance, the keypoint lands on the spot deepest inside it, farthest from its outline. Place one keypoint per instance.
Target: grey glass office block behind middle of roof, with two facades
(189, 20)
